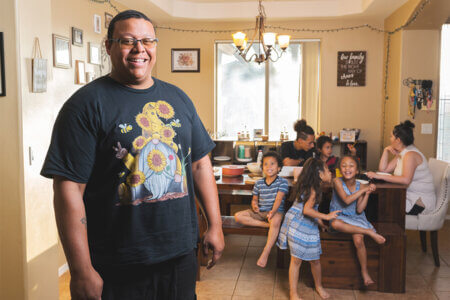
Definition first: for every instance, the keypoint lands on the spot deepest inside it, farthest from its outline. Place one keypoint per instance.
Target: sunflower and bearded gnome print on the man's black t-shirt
(154, 170)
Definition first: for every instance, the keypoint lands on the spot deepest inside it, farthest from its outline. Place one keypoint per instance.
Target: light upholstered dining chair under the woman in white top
(433, 221)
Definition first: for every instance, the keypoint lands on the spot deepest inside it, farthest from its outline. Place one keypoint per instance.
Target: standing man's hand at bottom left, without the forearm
(86, 286)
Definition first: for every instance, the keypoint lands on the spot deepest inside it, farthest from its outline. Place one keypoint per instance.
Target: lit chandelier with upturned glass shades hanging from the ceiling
(265, 40)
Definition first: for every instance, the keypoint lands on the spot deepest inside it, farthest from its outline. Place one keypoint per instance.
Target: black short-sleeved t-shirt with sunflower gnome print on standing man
(133, 149)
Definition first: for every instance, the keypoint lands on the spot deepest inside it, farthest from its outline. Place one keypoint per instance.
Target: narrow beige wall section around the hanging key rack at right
(420, 60)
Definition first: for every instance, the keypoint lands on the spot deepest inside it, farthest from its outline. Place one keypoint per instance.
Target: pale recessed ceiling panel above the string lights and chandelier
(245, 10)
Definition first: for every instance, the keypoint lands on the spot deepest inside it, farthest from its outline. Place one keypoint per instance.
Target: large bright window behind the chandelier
(251, 96)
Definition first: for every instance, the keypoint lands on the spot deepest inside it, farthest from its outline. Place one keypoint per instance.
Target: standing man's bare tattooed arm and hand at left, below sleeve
(85, 282)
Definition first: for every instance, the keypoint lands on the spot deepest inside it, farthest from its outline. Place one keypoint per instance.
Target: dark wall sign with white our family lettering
(352, 68)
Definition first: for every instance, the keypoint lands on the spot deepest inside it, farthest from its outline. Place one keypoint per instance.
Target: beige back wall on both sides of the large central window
(355, 107)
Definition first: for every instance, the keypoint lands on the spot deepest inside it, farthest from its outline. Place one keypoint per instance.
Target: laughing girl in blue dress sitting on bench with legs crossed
(351, 197)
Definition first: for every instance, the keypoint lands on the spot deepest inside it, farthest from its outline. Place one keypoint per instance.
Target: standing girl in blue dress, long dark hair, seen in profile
(300, 230)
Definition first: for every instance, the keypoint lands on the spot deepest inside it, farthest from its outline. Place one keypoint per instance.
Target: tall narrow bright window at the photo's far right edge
(443, 140)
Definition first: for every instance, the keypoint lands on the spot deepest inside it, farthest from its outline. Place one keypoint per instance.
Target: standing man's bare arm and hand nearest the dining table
(206, 189)
